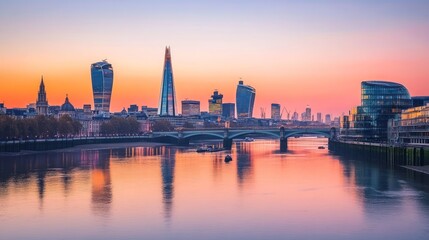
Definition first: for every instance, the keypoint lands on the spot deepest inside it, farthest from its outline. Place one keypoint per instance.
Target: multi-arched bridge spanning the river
(183, 137)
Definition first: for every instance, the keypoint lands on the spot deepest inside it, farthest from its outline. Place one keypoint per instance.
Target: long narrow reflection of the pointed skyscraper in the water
(167, 170)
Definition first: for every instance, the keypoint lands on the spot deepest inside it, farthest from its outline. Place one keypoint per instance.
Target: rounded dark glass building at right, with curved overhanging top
(380, 101)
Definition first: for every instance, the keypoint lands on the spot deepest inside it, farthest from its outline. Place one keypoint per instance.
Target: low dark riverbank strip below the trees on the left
(97, 146)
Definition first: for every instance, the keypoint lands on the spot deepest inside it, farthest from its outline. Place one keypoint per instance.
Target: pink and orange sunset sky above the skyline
(295, 53)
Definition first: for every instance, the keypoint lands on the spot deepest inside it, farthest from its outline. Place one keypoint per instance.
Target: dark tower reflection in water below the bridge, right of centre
(244, 162)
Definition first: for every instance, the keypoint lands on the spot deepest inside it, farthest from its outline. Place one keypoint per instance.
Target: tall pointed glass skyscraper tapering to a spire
(167, 100)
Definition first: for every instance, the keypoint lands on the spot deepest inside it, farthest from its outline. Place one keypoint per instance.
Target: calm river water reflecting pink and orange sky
(168, 192)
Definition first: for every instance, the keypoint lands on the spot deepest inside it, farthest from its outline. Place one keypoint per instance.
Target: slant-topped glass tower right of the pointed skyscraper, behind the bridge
(245, 99)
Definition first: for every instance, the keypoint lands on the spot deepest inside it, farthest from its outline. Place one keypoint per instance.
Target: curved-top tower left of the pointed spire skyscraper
(102, 83)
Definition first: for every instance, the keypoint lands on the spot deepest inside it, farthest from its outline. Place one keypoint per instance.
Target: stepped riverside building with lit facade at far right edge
(412, 127)
